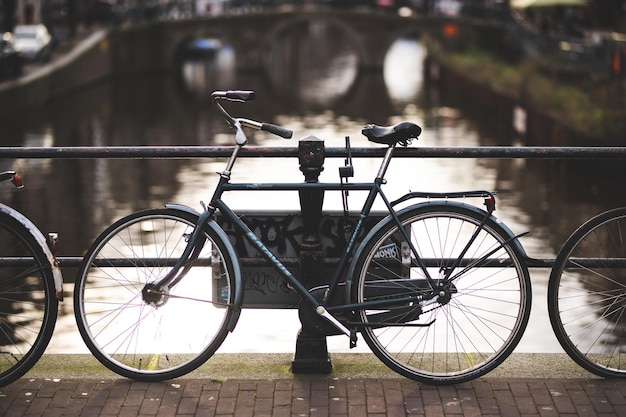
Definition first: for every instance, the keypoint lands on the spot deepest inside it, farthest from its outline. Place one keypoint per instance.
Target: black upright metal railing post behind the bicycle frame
(311, 349)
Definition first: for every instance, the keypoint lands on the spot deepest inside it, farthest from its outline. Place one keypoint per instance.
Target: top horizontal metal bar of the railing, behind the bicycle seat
(185, 152)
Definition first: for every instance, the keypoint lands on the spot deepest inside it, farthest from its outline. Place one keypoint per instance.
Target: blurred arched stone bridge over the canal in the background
(251, 35)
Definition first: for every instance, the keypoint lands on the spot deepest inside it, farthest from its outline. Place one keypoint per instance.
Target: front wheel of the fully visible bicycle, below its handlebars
(152, 333)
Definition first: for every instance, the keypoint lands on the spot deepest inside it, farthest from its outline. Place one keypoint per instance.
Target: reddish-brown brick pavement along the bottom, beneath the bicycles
(312, 396)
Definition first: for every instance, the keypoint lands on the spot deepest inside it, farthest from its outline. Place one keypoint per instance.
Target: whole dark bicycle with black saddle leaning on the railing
(439, 289)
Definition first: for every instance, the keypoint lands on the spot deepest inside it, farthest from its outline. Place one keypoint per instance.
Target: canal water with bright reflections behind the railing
(321, 94)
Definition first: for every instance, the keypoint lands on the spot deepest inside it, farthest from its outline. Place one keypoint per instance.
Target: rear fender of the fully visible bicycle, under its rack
(514, 239)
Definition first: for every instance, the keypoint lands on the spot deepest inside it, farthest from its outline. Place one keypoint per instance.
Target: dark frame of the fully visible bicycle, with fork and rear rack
(374, 190)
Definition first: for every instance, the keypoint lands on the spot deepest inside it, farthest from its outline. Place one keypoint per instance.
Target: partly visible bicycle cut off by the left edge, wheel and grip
(31, 286)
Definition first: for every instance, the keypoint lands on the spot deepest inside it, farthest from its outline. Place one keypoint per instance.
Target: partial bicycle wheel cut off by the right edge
(587, 295)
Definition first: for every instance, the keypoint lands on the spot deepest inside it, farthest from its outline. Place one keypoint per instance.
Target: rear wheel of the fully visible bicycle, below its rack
(476, 317)
